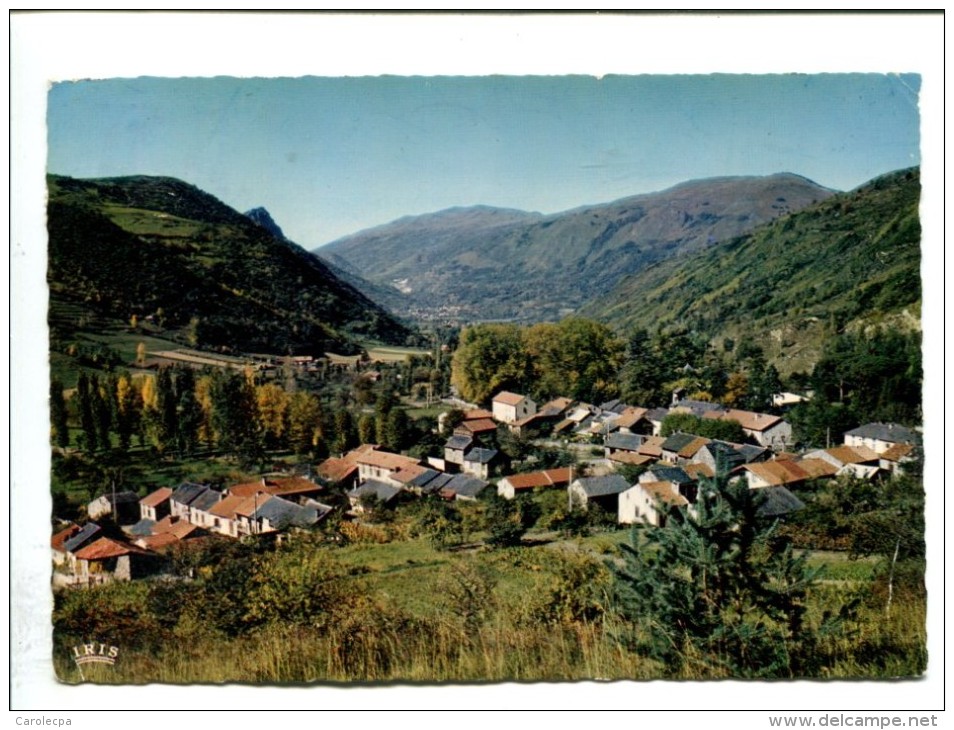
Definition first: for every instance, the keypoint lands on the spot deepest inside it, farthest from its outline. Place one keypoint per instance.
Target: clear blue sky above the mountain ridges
(331, 156)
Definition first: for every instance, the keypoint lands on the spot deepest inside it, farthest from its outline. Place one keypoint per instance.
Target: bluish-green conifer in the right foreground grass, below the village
(718, 593)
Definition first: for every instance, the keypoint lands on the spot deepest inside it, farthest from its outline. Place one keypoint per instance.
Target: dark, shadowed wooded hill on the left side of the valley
(164, 251)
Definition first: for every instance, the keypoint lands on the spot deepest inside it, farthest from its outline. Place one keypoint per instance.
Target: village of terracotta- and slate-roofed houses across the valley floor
(622, 465)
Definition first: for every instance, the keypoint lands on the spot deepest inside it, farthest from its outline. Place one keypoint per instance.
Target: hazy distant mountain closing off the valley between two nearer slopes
(492, 263)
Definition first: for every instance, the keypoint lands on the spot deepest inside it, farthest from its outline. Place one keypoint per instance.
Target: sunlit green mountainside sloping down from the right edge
(849, 262)
